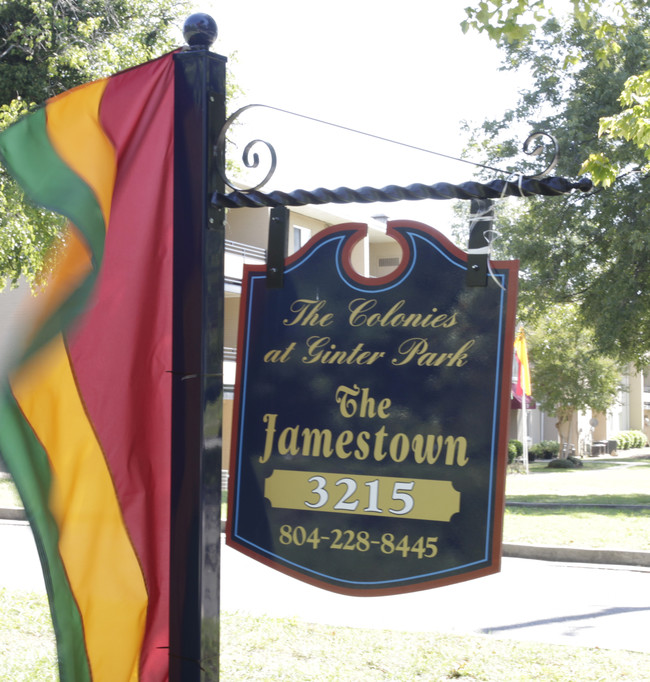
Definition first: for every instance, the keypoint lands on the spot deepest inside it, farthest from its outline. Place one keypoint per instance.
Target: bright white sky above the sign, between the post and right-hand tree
(397, 69)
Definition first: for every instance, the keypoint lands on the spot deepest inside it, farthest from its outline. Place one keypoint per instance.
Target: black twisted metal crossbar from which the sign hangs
(523, 187)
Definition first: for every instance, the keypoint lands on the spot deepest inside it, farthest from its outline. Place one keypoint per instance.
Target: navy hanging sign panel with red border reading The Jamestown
(370, 429)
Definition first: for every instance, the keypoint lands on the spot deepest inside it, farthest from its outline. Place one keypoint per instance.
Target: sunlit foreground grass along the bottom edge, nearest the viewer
(264, 648)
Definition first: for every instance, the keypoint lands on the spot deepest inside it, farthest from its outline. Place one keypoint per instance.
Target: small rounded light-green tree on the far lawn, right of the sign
(568, 374)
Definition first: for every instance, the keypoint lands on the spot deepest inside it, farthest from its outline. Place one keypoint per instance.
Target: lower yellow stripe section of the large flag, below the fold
(105, 577)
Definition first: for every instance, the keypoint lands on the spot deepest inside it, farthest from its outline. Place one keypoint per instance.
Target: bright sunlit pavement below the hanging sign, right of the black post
(579, 604)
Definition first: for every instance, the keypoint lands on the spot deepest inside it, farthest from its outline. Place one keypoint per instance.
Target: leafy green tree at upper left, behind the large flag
(46, 47)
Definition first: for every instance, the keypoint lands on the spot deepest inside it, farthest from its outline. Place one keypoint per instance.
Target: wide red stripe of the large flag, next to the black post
(121, 353)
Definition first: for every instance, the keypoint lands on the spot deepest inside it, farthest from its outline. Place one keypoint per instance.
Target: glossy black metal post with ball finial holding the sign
(197, 359)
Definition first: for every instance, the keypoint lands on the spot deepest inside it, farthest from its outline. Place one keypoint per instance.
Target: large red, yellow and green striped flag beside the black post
(85, 412)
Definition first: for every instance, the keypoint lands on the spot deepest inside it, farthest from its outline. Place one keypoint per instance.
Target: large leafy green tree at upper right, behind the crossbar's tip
(593, 249)
